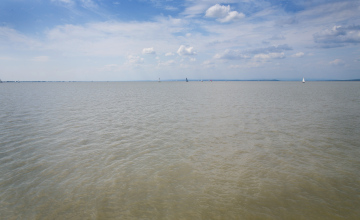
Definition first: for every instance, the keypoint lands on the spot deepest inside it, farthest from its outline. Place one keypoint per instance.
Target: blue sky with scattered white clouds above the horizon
(125, 40)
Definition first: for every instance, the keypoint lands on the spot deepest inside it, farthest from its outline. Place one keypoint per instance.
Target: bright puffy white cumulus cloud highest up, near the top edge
(223, 13)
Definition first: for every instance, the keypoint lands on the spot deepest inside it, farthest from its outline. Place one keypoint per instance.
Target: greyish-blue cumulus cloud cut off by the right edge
(338, 36)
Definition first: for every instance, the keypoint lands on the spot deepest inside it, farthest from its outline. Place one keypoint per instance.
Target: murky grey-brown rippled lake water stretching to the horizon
(176, 150)
